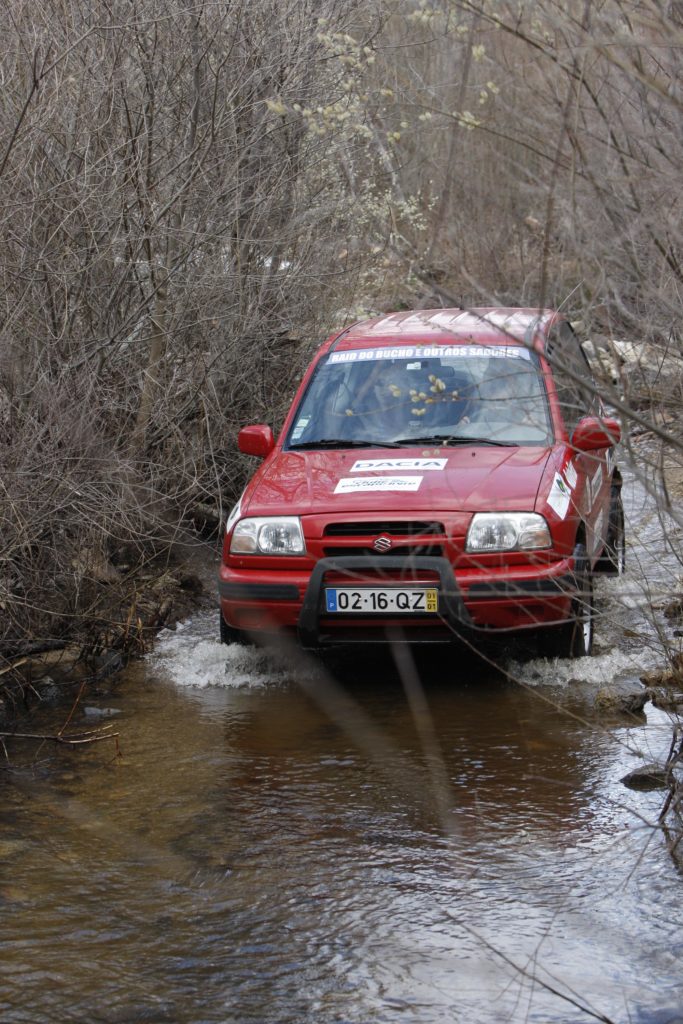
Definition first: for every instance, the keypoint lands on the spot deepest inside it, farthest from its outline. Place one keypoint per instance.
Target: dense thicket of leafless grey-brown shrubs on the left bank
(170, 249)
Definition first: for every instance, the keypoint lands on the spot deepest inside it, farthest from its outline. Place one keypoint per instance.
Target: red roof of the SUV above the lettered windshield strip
(490, 326)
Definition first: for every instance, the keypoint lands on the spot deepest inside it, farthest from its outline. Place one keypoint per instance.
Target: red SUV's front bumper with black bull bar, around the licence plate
(472, 602)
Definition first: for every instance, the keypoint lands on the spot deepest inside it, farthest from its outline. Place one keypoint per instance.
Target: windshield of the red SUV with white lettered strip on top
(437, 396)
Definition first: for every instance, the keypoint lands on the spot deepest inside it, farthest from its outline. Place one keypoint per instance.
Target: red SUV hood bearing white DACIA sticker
(465, 480)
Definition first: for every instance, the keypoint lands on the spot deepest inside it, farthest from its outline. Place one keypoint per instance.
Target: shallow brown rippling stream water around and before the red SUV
(373, 842)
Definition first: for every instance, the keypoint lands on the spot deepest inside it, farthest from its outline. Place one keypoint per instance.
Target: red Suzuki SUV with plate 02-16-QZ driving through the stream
(442, 475)
